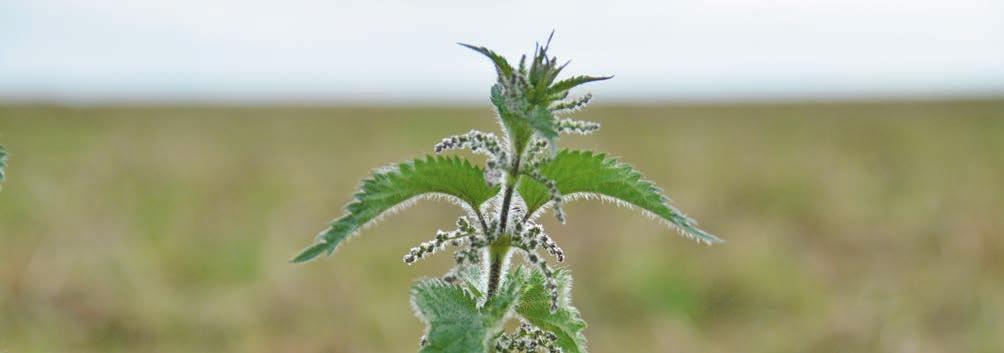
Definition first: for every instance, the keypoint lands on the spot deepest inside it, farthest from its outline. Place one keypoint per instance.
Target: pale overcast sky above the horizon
(388, 52)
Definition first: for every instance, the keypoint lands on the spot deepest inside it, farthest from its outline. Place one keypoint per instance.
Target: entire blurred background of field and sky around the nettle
(168, 158)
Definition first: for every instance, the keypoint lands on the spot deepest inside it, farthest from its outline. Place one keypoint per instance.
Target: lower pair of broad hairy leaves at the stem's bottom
(456, 323)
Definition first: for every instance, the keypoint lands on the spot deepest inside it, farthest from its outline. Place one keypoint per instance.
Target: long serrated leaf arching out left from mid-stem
(454, 179)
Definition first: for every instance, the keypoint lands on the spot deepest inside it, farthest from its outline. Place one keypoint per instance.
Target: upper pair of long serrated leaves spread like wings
(579, 174)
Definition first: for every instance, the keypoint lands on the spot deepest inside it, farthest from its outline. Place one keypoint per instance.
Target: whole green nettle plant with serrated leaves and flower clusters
(525, 176)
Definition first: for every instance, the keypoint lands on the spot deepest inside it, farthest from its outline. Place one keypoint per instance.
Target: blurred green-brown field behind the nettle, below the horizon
(851, 228)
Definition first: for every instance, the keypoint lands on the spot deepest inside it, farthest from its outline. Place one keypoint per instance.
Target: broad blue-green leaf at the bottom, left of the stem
(454, 323)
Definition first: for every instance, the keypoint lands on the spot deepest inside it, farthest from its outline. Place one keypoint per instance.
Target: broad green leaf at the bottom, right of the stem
(535, 307)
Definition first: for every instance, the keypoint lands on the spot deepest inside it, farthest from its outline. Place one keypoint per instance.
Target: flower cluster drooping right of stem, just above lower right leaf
(530, 238)
